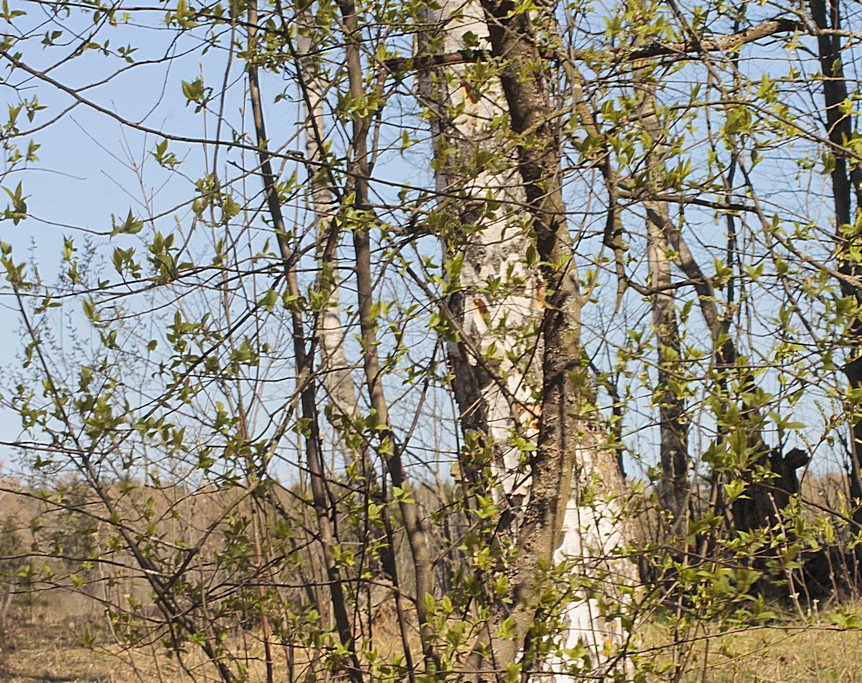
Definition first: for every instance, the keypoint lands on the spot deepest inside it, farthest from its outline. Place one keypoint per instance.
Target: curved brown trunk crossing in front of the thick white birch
(562, 453)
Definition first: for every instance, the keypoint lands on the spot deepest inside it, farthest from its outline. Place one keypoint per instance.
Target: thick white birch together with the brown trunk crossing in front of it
(520, 380)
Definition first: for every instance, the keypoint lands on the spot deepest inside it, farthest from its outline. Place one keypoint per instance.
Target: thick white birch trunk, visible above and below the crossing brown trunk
(508, 324)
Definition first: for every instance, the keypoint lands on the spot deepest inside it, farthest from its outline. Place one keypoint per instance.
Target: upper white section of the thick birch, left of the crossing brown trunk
(501, 330)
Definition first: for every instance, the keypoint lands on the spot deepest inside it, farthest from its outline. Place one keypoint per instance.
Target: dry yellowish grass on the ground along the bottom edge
(795, 651)
